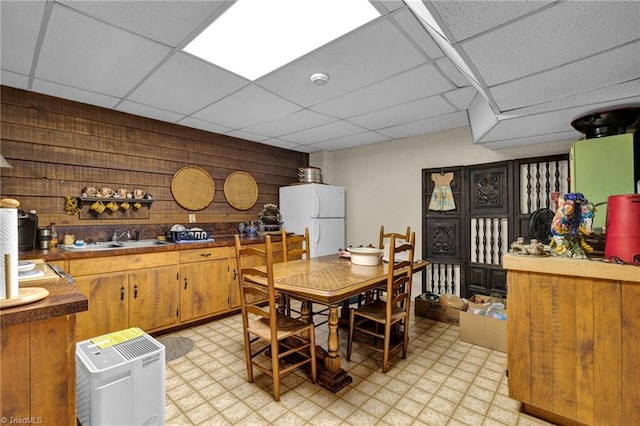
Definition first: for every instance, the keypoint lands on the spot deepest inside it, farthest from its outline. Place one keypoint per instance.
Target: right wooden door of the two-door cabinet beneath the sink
(154, 297)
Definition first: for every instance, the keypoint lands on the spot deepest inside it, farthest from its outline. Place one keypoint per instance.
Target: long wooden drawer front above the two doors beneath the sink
(101, 265)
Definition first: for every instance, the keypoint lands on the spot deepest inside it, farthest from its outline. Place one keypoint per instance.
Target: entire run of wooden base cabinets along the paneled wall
(156, 291)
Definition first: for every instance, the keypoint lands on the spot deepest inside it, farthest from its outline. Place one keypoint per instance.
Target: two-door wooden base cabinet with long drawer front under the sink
(127, 291)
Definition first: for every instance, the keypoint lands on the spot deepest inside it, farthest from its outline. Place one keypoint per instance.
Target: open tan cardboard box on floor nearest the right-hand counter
(481, 330)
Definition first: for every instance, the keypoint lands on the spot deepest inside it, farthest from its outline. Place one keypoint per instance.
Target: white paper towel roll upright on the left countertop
(9, 245)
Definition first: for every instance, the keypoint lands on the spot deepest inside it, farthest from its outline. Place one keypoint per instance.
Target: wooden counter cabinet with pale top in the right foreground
(573, 340)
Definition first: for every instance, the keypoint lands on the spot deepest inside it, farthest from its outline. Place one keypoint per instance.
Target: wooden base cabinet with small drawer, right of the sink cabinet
(204, 282)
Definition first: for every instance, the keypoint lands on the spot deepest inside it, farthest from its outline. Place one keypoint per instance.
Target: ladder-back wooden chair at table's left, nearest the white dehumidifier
(267, 331)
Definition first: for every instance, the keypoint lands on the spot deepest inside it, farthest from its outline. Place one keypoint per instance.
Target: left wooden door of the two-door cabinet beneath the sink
(108, 304)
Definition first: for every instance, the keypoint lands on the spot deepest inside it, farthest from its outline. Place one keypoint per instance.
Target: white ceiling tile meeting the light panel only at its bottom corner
(247, 107)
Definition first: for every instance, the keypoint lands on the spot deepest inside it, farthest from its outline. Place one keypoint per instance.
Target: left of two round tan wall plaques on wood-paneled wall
(192, 188)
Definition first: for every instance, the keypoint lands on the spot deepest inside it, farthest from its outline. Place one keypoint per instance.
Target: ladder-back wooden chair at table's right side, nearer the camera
(383, 324)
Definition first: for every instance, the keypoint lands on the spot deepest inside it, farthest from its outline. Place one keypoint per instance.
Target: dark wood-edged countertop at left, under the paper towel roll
(63, 299)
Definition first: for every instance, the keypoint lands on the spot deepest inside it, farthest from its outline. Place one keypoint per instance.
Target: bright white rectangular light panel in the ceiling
(254, 37)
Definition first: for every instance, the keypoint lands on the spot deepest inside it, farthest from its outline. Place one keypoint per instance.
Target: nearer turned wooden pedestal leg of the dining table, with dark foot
(331, 376)
